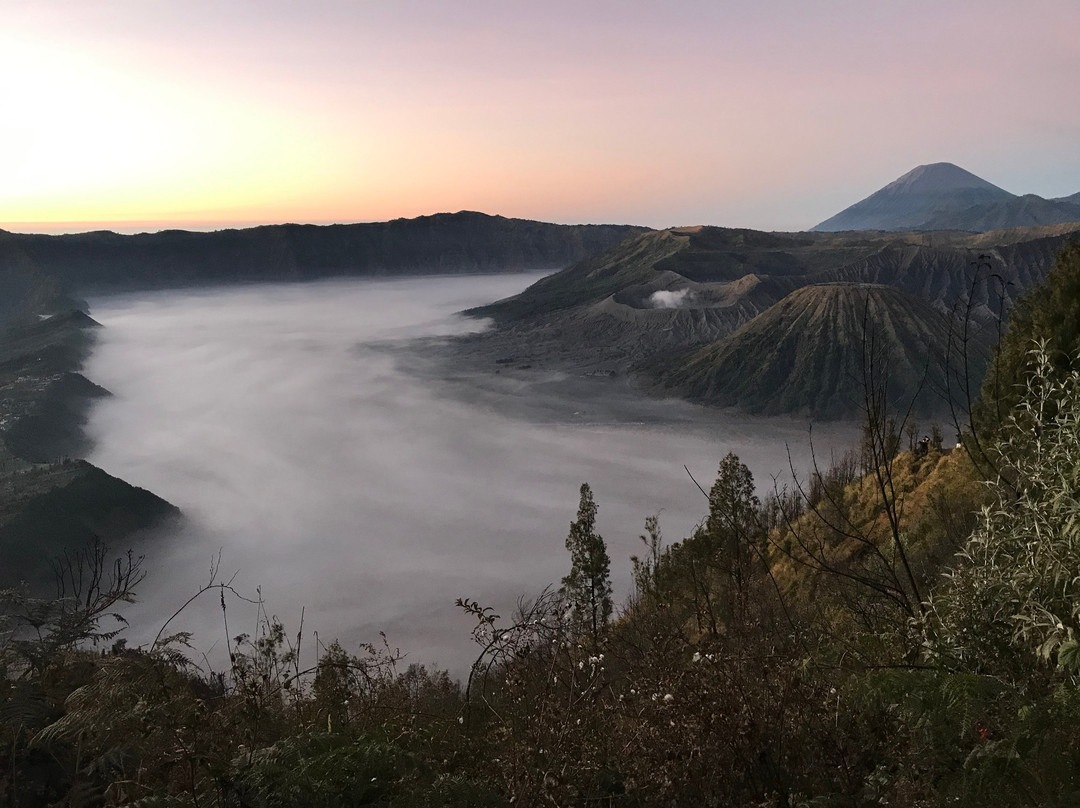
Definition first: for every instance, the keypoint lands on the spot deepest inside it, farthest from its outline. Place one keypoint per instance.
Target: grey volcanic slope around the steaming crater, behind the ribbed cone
(654, 294)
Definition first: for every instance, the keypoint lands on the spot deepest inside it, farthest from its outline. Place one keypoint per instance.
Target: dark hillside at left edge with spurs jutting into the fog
(52, 504)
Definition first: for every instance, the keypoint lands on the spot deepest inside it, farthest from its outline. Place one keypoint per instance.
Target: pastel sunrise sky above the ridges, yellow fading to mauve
(139, 115)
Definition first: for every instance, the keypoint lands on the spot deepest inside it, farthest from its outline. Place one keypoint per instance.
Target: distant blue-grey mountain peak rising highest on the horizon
(920, 196)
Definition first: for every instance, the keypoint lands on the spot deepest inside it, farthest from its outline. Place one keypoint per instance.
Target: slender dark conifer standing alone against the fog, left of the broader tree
(588, 588)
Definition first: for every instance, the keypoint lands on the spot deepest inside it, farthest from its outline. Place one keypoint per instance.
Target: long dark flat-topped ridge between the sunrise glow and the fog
(461, 243)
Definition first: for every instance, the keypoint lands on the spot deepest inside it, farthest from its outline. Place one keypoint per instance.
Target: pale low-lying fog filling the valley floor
(304, 436)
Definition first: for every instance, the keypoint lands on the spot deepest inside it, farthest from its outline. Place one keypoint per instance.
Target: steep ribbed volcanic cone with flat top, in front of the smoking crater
(805, 354)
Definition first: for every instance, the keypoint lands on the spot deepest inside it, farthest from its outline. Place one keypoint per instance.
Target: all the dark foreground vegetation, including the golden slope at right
(902, 628)
